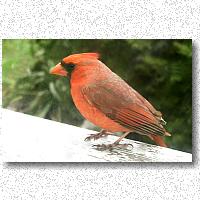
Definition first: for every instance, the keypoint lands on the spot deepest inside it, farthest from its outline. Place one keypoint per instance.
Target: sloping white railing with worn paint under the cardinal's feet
(32, 139)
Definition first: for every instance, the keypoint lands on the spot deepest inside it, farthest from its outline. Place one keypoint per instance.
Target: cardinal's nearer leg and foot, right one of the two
(115, 144)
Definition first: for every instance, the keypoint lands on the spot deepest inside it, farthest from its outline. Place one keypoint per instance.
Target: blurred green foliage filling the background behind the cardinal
(161, 70)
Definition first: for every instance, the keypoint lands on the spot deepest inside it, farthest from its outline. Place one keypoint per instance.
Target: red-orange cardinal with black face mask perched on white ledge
(107, 101)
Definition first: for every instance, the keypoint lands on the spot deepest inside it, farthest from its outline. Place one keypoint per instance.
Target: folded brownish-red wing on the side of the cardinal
(119, 107)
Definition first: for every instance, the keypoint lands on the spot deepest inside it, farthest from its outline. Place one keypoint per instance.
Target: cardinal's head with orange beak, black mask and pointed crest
(69, 63)
